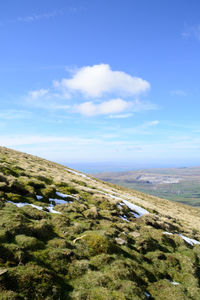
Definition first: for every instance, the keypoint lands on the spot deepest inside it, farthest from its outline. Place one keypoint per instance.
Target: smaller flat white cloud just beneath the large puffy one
(107, 107)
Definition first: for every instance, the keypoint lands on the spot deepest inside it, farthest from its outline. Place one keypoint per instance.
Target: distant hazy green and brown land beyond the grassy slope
(177, 184)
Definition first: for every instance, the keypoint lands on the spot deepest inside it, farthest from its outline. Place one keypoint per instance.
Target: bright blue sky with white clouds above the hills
(101, 82)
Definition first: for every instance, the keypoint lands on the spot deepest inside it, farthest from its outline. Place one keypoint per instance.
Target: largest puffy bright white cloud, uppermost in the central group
(95, 81)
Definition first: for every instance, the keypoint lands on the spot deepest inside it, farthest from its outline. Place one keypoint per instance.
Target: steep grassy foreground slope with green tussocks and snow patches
(65, 235)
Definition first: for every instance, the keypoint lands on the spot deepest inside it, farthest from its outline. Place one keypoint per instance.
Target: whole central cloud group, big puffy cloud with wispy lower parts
(101, 92)
